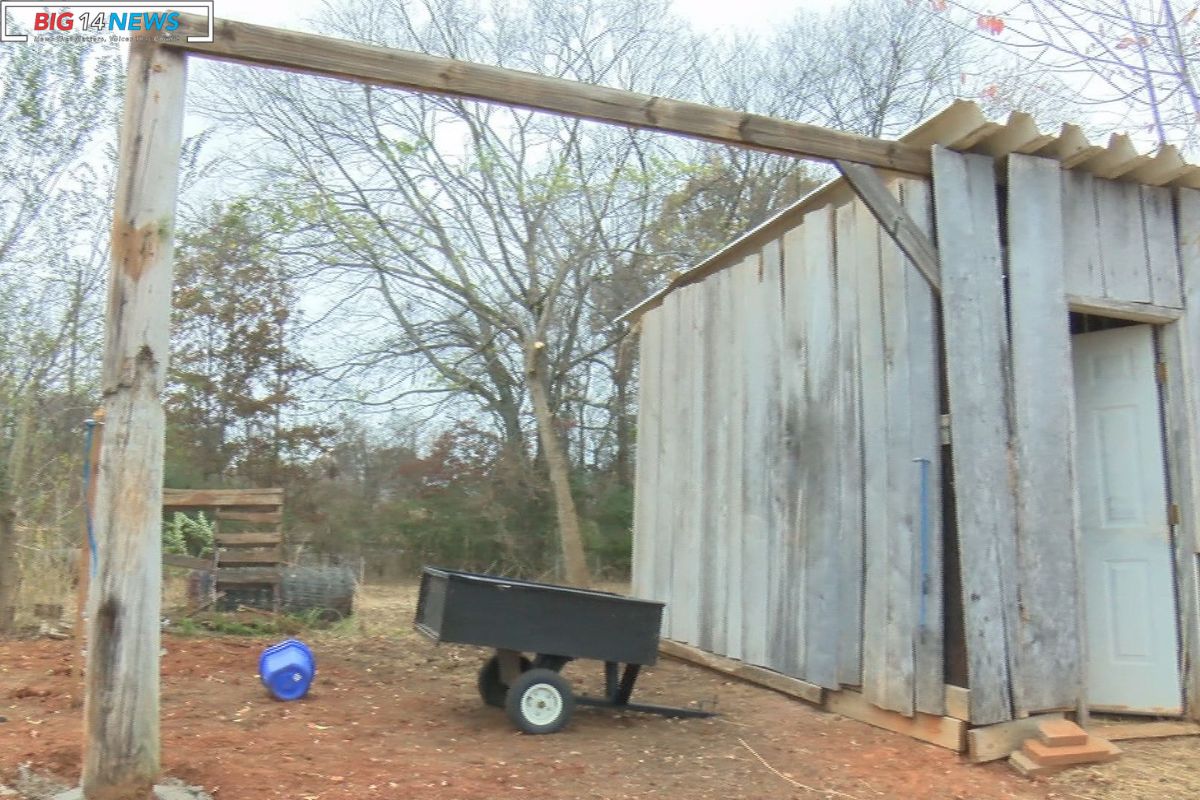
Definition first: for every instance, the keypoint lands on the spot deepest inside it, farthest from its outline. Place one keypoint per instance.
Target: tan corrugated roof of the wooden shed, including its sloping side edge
(963, 127)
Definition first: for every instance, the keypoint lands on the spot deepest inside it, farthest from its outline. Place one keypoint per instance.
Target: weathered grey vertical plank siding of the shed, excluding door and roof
(793, 446)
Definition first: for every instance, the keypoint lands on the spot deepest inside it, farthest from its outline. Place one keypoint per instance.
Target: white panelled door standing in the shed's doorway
(1130, 591)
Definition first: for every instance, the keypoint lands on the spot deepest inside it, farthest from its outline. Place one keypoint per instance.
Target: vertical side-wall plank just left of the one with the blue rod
(891, 681)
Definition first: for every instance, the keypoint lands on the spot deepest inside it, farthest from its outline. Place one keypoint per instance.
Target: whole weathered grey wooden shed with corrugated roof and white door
(944, 472)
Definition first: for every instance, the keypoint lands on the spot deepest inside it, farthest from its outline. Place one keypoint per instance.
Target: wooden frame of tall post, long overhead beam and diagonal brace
(122, 744)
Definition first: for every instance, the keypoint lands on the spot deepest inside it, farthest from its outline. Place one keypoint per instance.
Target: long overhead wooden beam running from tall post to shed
(322, 56)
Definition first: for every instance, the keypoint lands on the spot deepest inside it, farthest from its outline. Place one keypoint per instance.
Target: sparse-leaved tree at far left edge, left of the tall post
(55, 107)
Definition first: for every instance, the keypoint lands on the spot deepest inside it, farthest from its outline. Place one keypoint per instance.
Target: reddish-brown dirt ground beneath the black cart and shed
(391, 715)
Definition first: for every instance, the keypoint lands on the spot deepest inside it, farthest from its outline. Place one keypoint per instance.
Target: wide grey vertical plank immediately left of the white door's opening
(1048, 660)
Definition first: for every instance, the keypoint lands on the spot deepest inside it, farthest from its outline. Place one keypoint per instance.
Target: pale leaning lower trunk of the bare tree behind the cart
(575, 566)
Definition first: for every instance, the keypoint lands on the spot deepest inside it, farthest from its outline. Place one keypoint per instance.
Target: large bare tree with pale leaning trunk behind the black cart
(473, 243)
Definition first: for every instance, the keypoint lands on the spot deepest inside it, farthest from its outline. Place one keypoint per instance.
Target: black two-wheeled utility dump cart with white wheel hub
(554, 624)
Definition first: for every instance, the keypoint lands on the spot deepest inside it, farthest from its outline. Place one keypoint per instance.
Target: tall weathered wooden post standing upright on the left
(122, 709)
